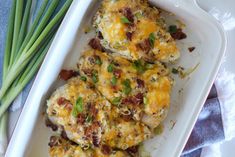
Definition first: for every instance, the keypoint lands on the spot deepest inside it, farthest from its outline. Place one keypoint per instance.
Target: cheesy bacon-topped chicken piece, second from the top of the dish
(138, 89)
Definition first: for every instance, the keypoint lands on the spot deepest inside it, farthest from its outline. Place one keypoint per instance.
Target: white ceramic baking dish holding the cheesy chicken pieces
(30, 136)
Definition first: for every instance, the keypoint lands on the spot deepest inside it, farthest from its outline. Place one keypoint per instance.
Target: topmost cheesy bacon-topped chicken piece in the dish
(130, 28)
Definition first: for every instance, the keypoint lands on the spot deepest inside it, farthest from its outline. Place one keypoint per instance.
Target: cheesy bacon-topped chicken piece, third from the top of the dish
(90, 120)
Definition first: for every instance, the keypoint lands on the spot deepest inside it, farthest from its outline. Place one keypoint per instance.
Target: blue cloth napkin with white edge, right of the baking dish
(216, 122)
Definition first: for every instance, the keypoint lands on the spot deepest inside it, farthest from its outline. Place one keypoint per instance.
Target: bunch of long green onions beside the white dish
(26, 47)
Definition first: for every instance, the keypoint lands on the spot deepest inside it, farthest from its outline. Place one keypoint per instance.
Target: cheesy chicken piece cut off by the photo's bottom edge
(60, 147)
